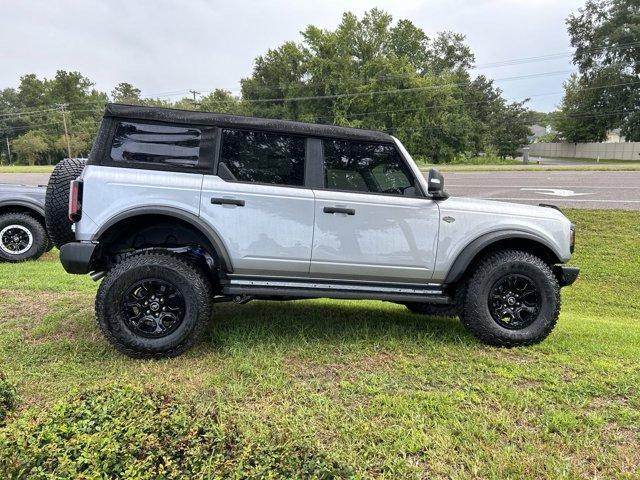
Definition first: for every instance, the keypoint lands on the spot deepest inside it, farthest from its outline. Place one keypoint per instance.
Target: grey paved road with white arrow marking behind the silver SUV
(573, 189)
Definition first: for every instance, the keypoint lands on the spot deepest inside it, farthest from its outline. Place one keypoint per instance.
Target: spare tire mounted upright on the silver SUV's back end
(56, 207)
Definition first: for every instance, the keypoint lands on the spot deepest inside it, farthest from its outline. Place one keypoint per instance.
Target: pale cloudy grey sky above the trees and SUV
(166, 47)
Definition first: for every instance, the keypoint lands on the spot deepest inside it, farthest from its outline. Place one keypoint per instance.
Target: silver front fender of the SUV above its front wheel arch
(463, 220)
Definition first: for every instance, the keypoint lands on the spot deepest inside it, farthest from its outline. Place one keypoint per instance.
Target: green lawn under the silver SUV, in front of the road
(392, 394)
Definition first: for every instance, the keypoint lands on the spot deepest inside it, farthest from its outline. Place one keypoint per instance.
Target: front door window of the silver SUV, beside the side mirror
(366, 167)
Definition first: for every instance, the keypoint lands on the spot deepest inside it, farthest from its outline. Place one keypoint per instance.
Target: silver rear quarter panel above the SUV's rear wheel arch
(110, 192)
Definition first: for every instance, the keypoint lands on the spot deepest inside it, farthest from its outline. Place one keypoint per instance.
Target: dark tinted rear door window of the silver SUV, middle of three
(261, 157)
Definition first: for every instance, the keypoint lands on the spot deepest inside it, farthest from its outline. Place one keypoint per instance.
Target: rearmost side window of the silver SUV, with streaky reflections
(158, 144)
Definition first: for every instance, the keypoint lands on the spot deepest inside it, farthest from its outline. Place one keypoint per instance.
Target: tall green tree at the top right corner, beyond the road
(605, 94)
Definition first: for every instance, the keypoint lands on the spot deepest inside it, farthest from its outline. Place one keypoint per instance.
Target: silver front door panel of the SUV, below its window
(387, 238)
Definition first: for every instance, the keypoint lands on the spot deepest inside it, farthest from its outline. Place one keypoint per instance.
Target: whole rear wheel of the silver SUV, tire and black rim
(154, 305)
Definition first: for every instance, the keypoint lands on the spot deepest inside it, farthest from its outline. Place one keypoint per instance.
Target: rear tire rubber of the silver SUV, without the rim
(187, 277)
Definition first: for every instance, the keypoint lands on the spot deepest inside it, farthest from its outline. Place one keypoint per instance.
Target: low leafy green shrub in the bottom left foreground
(126, 432)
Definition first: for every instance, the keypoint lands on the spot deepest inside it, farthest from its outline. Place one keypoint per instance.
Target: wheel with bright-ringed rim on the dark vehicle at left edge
(22, 237)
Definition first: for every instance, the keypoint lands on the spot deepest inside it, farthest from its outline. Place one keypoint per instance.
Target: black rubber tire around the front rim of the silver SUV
(476, 315)
